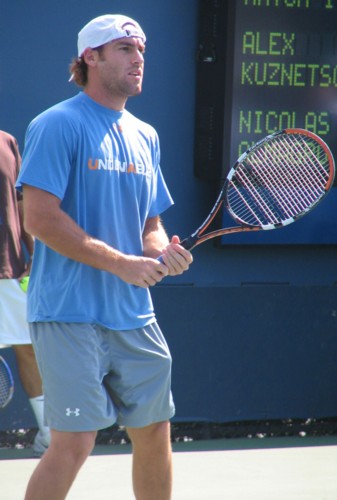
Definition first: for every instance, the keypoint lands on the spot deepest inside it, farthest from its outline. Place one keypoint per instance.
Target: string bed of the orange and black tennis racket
(279, 180)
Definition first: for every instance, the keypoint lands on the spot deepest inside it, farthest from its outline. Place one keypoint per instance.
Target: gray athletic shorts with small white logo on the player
(94, 377)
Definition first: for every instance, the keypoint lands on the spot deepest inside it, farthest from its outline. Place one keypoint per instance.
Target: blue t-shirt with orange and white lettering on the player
(104, 167)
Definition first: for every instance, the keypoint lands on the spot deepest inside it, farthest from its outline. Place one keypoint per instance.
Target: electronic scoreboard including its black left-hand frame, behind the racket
(263, 66)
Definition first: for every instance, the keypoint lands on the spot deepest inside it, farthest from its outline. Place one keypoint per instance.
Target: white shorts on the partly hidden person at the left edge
(13, 316)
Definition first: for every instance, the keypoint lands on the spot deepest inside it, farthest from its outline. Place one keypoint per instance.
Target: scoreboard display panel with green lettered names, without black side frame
(284, 70)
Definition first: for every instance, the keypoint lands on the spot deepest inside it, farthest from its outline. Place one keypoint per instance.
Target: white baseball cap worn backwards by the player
(104, 29)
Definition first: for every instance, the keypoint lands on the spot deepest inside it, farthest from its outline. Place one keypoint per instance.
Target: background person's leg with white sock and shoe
(31, 382)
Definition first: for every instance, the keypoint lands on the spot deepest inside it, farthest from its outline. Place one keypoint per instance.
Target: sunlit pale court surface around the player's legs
(287, 468)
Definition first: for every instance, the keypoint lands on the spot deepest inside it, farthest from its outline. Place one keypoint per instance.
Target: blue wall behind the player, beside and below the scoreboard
(254, 330)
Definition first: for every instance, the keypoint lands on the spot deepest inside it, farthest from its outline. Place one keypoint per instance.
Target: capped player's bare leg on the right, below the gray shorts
(152, 461)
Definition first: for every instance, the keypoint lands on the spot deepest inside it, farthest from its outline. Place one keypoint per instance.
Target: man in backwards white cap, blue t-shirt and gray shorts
(93, 195)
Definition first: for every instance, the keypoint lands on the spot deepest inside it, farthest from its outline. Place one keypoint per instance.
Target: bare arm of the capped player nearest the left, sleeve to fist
(45, 219)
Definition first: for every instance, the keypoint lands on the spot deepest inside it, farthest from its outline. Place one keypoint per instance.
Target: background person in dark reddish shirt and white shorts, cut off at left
(13, 325)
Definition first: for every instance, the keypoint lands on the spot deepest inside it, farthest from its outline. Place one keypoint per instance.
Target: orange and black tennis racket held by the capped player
(274, 183)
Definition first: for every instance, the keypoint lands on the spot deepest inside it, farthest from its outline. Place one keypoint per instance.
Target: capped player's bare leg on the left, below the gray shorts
(59, 466)
